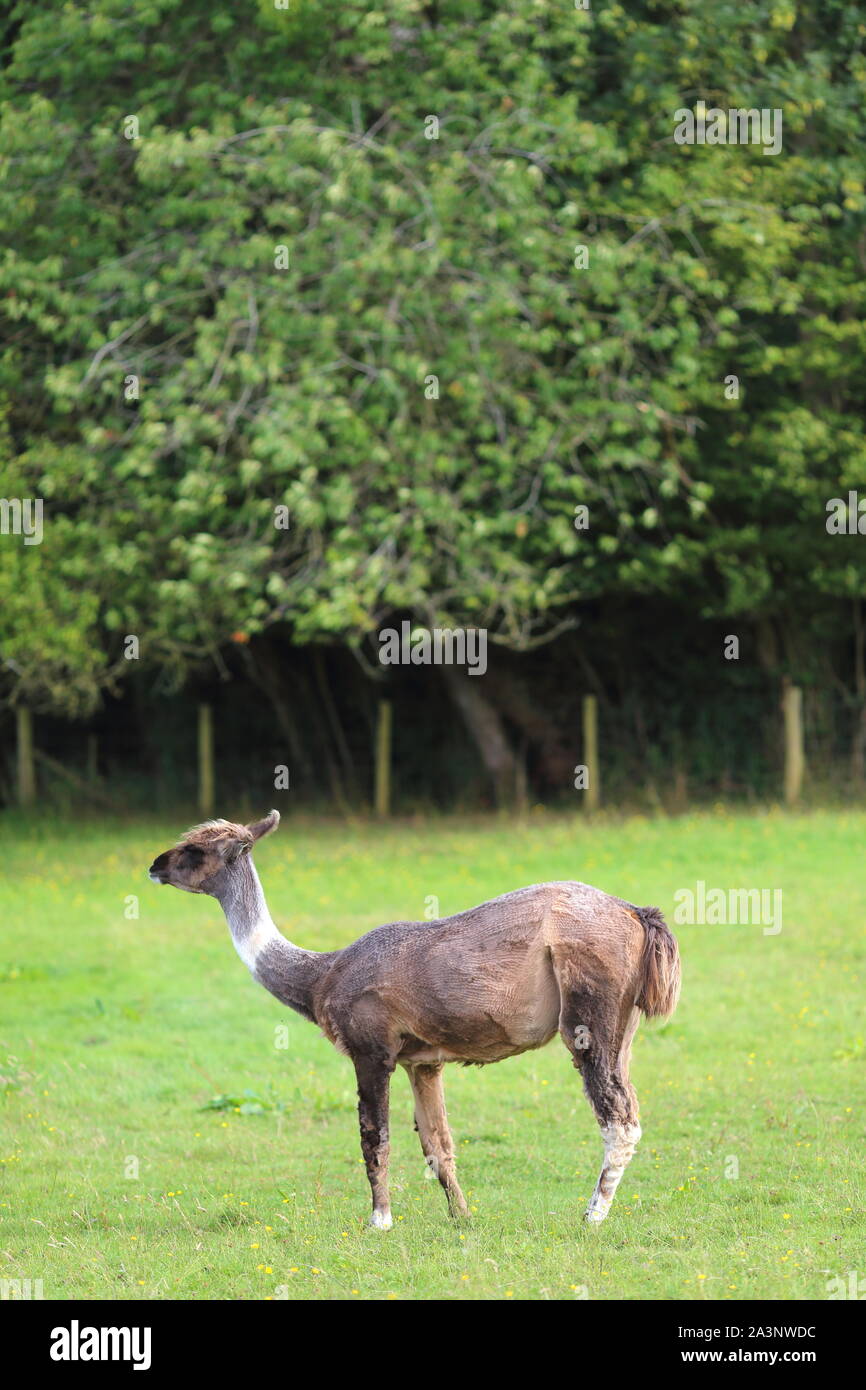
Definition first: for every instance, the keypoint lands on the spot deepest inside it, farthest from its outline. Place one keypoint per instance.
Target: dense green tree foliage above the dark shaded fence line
(309, 387)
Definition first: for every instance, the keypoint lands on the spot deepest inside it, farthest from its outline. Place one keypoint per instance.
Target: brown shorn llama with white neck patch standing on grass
(477, 988)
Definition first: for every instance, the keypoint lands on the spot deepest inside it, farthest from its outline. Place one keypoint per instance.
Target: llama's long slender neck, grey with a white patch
(287, 971)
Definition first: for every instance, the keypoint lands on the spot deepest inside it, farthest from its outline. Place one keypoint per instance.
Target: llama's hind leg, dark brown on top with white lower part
(601, 1049)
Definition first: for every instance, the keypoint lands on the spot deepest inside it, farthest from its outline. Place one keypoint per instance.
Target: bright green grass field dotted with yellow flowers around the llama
(117, 1182)
